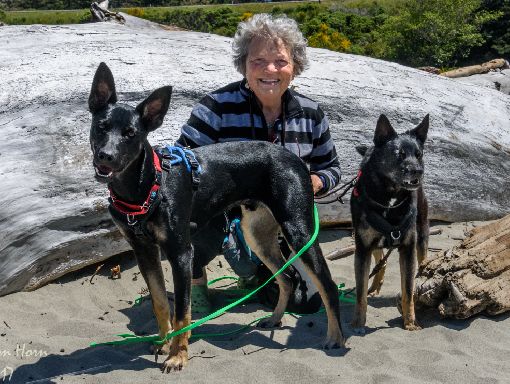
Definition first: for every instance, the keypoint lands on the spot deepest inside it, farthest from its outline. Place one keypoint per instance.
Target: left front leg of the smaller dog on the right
(362, 259)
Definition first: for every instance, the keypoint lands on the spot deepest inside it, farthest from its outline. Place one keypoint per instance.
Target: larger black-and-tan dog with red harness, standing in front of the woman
(272, 185)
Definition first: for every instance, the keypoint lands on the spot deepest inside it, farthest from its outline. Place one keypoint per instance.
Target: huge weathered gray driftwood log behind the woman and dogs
(53, 215)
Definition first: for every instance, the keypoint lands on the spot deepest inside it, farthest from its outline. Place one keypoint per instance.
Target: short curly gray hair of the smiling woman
(269, 27)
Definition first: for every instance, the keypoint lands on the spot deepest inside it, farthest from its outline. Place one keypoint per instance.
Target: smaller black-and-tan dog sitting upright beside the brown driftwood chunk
(389, 210)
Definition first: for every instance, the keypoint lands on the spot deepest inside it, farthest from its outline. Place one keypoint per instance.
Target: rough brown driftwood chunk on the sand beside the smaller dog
(471, 278)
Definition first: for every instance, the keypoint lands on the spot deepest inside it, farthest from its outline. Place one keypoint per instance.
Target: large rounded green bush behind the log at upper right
(432, 32)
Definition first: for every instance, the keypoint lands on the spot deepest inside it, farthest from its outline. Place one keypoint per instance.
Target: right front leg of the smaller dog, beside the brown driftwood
(407, 278)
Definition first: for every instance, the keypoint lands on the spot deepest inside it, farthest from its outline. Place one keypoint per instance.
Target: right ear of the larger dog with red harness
(154, 108)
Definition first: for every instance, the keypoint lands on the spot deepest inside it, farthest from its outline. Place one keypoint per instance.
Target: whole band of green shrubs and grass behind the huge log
(412, 32)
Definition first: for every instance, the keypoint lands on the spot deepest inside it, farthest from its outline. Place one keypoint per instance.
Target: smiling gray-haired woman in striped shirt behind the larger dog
(269, 52)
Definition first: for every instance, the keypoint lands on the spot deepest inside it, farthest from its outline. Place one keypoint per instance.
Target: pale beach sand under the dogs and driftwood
(45, 335)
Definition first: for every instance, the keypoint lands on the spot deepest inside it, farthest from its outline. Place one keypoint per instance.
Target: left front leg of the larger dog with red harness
(149, 262)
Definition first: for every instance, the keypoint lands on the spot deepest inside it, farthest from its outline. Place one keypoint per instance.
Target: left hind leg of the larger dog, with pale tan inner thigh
(260, 231)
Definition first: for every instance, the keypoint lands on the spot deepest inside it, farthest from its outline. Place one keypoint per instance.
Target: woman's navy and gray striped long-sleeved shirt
(233, 114)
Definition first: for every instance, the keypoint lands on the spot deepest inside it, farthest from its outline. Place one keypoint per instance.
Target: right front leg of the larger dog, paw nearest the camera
(180, 258)
